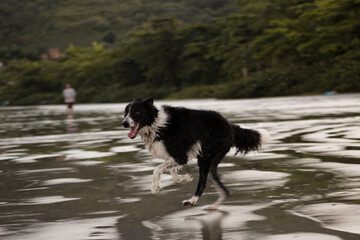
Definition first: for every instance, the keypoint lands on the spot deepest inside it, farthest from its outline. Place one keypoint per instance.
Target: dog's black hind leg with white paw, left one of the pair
(203, 173)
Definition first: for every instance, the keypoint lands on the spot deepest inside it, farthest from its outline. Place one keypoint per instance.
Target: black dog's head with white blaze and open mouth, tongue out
(138, 114)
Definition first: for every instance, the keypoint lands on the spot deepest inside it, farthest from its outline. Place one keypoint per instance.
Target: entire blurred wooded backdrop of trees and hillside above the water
(112, 50)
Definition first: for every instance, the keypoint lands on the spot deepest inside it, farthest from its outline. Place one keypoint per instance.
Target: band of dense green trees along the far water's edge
(264, 48)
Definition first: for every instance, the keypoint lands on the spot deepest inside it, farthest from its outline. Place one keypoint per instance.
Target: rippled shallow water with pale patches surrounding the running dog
(84, 179)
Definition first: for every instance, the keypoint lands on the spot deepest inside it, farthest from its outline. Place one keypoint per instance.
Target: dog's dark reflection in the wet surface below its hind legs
(211, 223)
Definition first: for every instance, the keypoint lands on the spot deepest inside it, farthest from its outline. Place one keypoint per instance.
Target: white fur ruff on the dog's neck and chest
(148, 135)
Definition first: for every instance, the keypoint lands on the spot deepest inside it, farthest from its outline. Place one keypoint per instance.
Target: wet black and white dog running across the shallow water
(178, 135)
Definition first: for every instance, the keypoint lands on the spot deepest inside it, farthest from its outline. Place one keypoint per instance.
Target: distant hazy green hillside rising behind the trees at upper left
(36, 25)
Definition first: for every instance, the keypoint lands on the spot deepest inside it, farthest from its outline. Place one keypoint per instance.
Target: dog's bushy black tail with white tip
(246, 140)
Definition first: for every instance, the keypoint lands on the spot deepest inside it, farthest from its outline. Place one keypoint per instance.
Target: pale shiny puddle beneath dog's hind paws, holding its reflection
(196, 223)
